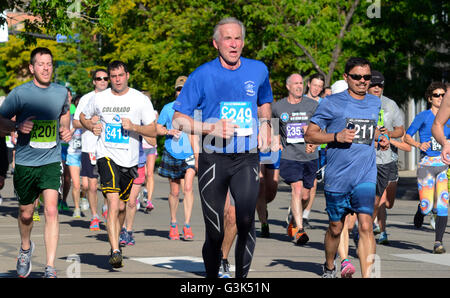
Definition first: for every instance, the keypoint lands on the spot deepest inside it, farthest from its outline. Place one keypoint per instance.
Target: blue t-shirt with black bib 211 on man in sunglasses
(349, 164)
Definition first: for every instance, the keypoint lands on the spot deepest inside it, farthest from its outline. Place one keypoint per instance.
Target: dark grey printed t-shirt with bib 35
(293, 118)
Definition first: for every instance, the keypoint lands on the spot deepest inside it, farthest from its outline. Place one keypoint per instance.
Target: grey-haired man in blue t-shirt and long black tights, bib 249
(234, 94)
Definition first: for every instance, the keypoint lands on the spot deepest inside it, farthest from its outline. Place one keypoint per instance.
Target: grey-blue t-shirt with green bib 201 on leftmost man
(42, 146)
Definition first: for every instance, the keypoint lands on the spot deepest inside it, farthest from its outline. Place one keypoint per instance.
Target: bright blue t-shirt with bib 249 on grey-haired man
(233, 94)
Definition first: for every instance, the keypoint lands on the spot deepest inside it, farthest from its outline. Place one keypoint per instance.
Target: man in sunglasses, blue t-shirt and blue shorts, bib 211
(347, 122)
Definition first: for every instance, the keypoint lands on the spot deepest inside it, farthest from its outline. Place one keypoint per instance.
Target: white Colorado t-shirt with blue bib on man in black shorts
(115, 142)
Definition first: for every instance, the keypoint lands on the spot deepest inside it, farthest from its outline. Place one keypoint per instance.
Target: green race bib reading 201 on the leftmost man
(43, 134)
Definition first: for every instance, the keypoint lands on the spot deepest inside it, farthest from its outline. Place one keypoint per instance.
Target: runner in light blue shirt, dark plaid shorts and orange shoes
(178, 162)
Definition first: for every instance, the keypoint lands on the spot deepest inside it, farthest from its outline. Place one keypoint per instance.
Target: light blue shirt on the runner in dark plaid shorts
(179, 148)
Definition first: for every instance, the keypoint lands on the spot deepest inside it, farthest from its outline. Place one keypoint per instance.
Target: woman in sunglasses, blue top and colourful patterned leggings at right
(432, 171)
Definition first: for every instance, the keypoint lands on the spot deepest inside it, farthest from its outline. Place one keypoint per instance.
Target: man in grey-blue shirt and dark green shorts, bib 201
(42, 110)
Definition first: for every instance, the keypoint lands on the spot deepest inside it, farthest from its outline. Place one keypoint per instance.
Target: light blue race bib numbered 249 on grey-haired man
(240, 113)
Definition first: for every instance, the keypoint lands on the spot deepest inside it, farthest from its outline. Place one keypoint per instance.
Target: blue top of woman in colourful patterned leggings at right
(423, 123)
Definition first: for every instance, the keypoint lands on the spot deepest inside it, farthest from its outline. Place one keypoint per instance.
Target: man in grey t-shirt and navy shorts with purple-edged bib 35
(299, 161)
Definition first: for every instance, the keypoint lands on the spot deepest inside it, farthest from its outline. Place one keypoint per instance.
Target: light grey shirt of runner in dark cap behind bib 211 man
(393, 117)
